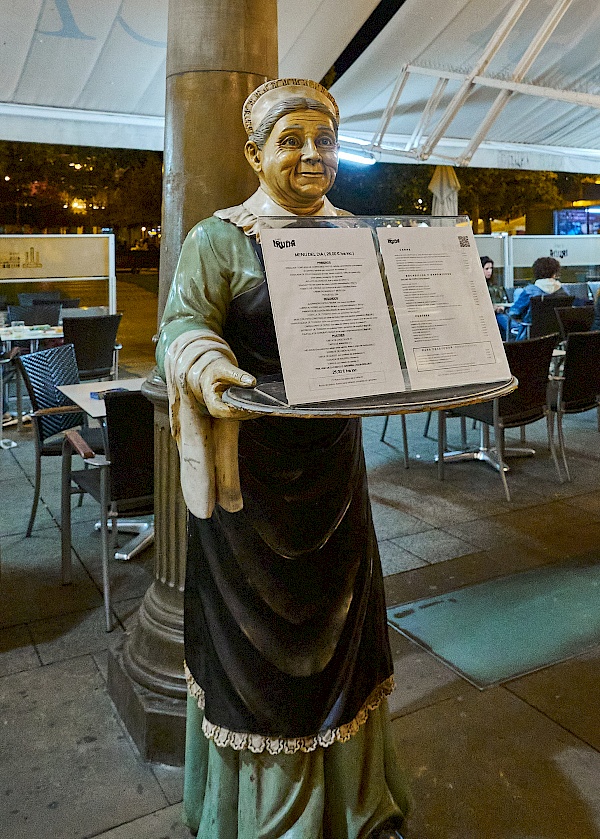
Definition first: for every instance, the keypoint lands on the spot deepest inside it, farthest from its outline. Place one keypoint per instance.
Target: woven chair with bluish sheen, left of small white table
(53, 412)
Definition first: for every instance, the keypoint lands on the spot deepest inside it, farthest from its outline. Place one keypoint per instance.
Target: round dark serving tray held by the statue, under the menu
(269, 398)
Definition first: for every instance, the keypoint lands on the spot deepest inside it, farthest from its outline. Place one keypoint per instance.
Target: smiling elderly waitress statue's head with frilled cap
(292, 141)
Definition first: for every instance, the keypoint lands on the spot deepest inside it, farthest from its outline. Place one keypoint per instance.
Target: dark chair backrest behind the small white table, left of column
(94, 341)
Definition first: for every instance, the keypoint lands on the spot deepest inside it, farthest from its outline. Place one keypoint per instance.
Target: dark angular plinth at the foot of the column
(155, 723)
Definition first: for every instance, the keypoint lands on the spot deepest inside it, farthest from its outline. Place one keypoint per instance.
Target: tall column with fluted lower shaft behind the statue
(218, 52)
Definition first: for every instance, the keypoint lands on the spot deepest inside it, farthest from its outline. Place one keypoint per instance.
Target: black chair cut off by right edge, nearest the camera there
(578, 388)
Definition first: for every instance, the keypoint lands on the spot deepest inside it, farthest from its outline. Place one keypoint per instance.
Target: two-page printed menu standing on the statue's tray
(365, 312)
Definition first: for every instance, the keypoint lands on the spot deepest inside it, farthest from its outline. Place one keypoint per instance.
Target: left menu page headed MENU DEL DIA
(332, 319)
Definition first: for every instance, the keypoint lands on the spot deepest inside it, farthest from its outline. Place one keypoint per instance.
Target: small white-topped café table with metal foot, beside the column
(80, 394)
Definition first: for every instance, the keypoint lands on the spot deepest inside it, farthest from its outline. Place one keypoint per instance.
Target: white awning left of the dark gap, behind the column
(93, 73)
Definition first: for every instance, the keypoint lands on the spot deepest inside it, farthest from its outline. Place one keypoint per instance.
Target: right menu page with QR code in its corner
(442, 306)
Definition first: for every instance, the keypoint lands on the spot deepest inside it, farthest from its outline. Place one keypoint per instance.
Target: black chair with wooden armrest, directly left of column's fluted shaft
(122, 482)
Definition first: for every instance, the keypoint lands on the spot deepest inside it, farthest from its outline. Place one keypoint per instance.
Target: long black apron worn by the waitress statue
(285, 624)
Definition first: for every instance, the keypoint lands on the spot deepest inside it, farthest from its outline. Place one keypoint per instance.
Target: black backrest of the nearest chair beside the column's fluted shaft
(130, 436)
